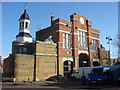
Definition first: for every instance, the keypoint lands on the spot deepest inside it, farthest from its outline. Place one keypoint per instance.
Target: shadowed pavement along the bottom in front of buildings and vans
(64, 84)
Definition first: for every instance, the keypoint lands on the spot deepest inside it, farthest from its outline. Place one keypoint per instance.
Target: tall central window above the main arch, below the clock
(82, 38)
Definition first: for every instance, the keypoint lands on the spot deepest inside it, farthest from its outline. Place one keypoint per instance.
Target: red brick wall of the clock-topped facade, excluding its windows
(60, 24)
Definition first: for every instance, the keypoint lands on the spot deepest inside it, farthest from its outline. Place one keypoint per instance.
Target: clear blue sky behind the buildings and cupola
(104, 17)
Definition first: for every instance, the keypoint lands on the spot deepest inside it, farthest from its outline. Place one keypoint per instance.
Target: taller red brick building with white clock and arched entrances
(76, 40)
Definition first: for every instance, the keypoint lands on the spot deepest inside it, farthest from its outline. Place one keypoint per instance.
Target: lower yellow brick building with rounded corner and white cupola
(30, 60)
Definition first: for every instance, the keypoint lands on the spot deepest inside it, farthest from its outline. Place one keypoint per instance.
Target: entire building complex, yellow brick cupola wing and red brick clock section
(57, 49)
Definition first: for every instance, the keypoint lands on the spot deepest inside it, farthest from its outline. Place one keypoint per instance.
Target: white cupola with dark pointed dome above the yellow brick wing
(24, 28)
